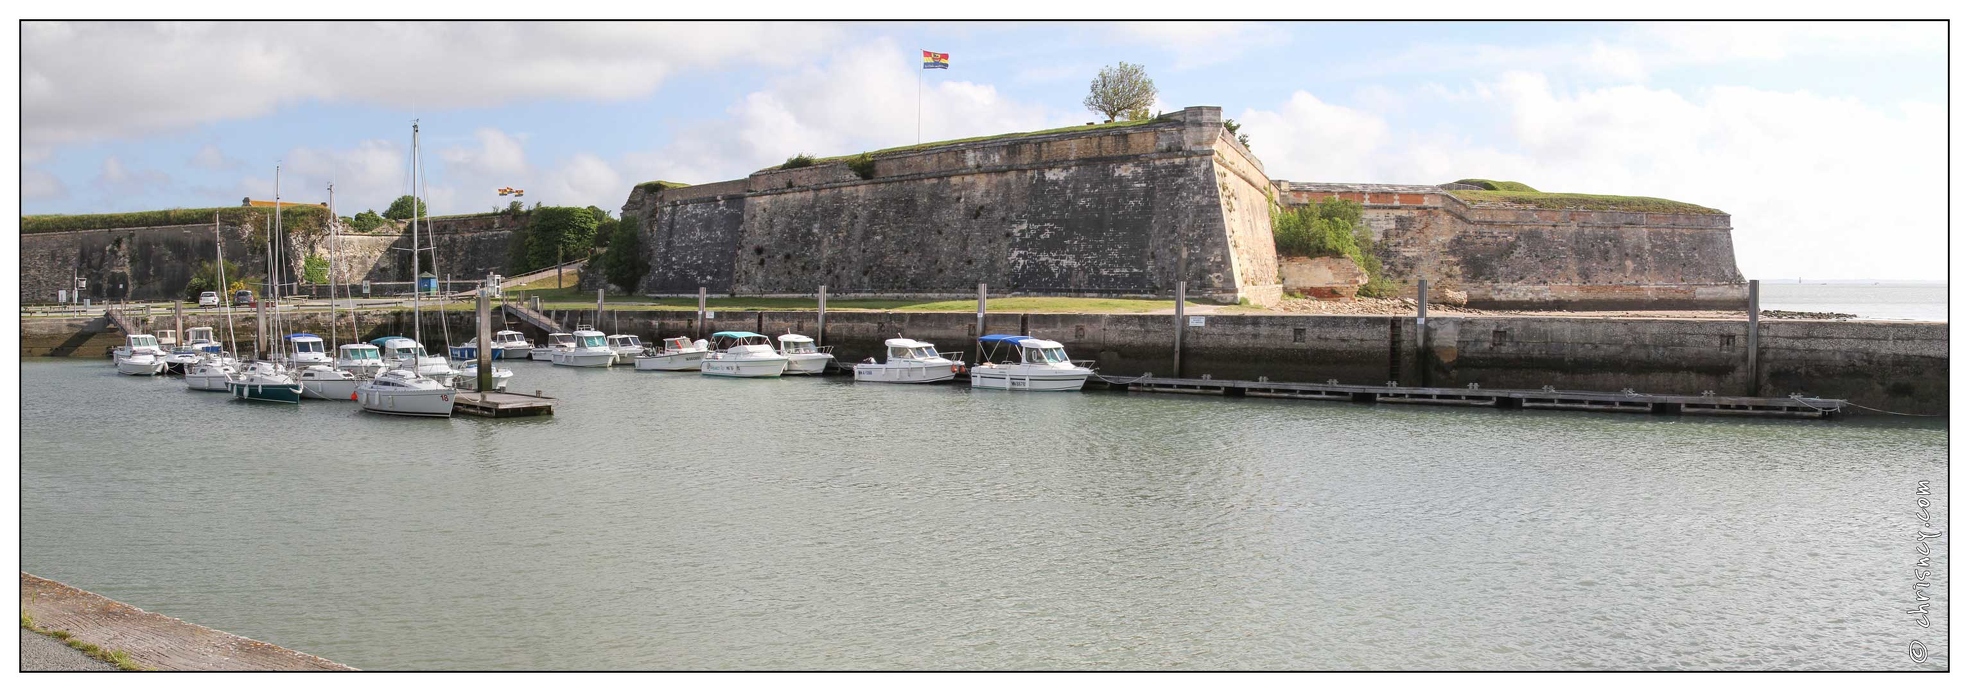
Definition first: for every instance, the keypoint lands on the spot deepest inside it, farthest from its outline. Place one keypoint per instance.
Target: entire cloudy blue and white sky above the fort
(1822, 141)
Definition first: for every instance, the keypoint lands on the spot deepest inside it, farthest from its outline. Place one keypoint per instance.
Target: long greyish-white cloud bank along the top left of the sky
(198, 72)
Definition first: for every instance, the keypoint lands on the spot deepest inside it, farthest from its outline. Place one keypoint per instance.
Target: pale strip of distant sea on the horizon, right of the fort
(1927, 301)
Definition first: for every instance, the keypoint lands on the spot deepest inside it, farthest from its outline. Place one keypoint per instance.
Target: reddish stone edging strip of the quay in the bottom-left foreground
(155, 642)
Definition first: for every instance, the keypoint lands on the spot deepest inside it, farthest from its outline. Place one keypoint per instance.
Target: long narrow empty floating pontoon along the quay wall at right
(1625, 401)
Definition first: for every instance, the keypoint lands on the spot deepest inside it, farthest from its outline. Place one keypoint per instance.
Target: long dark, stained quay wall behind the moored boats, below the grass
(1895, 366)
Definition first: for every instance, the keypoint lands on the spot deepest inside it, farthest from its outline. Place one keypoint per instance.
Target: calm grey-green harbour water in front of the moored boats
(674, 521)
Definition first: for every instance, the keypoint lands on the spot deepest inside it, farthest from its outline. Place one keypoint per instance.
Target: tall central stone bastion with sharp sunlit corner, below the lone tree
(1115, 212)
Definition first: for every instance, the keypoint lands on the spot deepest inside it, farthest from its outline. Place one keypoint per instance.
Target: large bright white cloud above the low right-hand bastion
(1816, 186)
